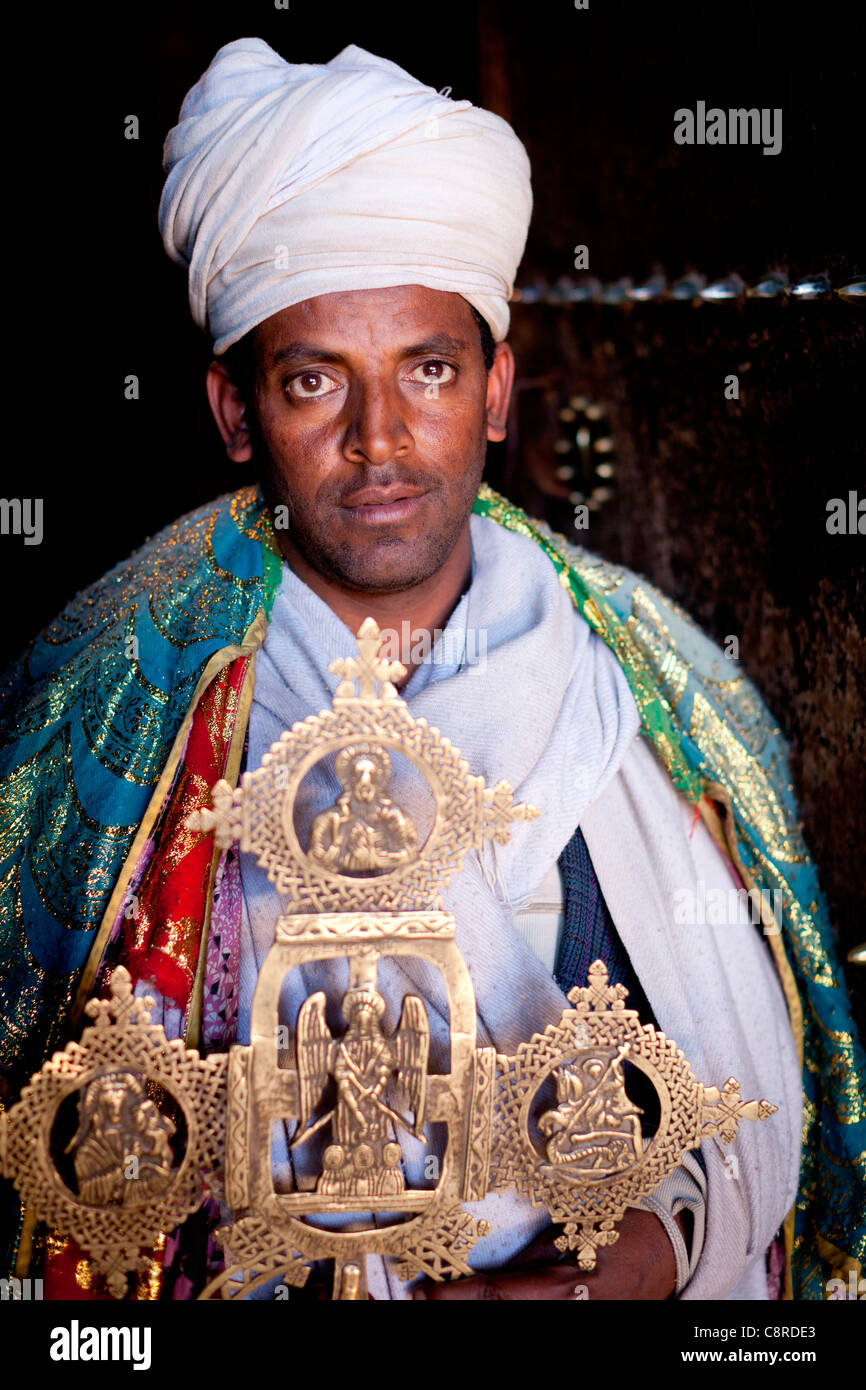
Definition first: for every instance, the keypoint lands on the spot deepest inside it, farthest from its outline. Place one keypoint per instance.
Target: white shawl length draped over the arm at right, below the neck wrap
(715, 990)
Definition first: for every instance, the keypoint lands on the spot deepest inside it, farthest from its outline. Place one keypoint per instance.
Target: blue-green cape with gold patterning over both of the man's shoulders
(90, 742)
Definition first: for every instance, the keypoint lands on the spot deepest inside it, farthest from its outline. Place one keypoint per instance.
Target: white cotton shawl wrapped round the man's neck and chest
(550, 710)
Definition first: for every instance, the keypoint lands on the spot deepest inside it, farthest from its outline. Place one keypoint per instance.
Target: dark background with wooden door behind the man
(722, 504)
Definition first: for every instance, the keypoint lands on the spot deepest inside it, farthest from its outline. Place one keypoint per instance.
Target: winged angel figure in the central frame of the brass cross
(363, 1159)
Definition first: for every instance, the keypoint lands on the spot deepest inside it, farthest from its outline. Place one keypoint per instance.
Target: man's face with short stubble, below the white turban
(370, 426)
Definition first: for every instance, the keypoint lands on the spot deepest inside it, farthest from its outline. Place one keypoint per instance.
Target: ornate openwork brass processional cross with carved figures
(123, 1135)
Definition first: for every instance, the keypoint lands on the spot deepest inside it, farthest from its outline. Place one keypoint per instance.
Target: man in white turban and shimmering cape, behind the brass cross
(352, 241)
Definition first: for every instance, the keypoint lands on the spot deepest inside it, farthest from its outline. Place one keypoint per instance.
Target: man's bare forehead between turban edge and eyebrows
(397, 316)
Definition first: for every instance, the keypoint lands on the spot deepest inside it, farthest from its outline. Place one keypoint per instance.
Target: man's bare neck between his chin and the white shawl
(426, 607)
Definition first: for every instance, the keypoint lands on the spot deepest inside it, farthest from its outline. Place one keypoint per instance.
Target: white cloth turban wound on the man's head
(293, 180)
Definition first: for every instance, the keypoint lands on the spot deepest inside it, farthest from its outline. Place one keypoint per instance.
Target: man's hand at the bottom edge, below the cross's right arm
(640, 1266)
